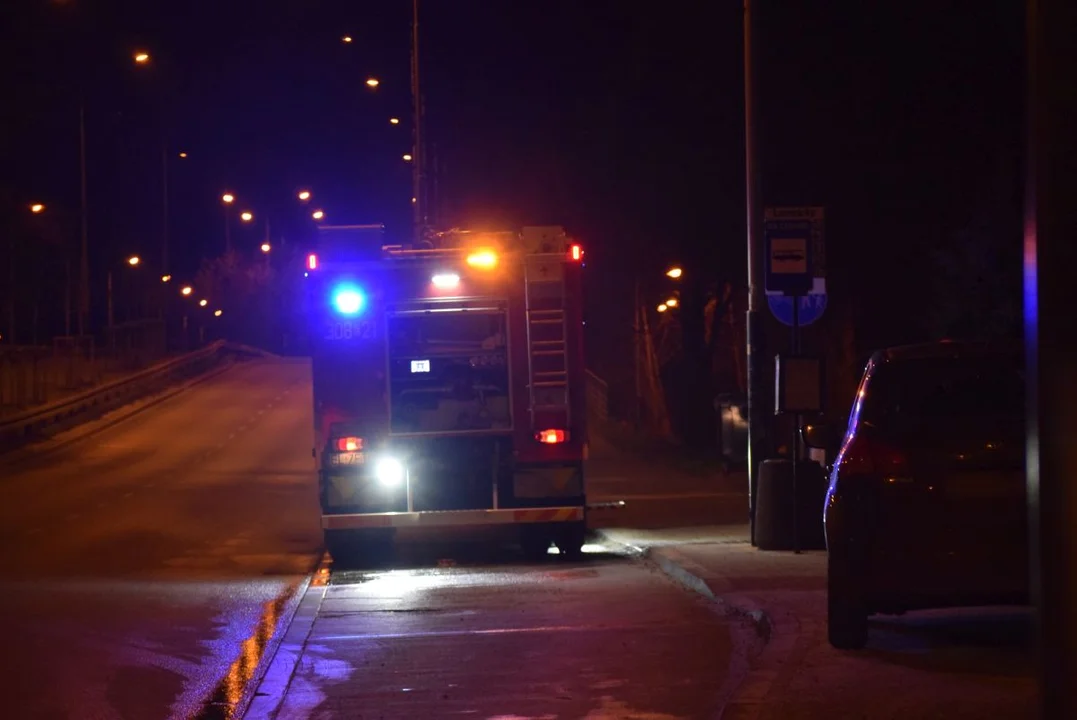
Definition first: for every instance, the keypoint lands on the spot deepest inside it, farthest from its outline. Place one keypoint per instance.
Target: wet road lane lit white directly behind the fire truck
(467, 632)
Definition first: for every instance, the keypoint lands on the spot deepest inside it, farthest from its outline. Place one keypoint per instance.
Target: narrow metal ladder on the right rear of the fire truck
(548, 337)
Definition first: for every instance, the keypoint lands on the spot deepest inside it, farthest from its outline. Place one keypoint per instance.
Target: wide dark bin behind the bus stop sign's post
(775, 506)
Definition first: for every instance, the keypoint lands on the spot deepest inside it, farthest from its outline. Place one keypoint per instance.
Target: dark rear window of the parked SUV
(945, 388)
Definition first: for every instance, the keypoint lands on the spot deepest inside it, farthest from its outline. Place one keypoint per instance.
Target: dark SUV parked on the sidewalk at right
(927, 501)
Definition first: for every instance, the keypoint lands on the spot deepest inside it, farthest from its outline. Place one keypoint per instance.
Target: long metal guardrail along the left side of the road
(39, 423)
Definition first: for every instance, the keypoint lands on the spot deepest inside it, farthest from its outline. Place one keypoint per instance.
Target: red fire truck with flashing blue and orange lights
(449, 387)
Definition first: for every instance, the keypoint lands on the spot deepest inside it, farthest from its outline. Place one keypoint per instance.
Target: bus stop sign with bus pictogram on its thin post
(795, 272)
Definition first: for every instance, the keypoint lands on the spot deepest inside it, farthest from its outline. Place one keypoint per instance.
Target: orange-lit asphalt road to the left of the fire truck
(141, 561)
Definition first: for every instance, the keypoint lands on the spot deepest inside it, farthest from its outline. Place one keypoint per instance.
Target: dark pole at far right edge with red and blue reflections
(1051, 256)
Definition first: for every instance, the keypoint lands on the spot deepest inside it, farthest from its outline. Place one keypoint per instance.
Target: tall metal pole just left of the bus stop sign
(756, 342)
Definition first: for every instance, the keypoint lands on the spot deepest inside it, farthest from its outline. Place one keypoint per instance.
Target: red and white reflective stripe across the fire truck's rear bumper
(445, 518)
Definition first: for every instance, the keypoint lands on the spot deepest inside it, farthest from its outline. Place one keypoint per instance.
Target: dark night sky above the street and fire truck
(622, 121)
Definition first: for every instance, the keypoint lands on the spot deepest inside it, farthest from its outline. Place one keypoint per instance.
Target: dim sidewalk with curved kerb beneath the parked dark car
(971, 663)
